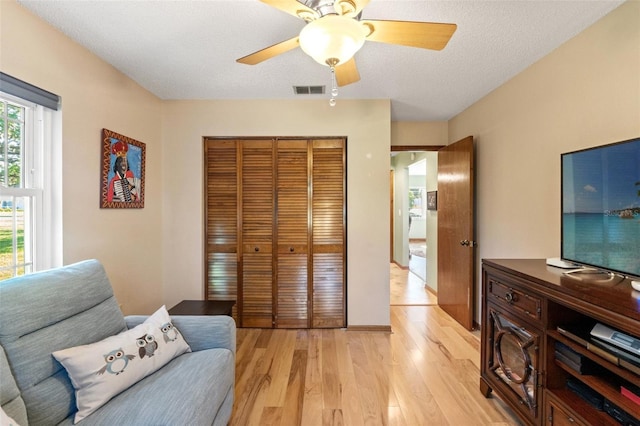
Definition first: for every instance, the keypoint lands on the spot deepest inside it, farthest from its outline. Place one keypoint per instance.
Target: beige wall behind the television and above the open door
(585, 93)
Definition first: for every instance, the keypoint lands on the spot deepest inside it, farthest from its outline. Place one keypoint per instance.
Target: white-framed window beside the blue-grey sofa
(28, 203)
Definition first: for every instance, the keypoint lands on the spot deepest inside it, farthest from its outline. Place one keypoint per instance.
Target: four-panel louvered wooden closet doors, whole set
(275, 225)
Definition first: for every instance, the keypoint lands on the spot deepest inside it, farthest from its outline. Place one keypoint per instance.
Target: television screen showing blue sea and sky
(601, 207)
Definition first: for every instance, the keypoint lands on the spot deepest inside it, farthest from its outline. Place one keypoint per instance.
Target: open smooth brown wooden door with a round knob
(456, 253)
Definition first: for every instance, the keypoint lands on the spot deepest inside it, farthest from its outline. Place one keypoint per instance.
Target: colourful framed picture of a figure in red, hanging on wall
(122, 178)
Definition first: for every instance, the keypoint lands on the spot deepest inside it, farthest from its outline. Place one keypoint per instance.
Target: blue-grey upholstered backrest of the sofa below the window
(47, 311)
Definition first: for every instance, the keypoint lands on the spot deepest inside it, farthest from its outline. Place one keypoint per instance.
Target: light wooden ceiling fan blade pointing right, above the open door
(426, 35)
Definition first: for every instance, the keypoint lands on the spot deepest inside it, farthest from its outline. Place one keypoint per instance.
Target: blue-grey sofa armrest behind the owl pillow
(200, 331)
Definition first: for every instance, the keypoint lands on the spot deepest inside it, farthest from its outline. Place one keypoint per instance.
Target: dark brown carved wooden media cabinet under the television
(524, 305)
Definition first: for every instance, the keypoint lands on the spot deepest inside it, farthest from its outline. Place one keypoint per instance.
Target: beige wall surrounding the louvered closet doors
(366, 126)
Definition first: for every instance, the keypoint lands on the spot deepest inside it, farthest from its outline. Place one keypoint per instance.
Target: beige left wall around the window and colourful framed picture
(94, 96)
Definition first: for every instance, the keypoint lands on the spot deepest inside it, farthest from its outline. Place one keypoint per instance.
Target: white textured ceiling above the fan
(186, 49)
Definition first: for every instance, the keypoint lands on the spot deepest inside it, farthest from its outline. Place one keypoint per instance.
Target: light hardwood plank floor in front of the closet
(425, 372)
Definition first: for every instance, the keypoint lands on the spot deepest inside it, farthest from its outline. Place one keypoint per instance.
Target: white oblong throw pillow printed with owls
(101, 370)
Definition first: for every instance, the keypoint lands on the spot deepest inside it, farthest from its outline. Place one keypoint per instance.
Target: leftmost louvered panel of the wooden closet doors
(221, 219)
